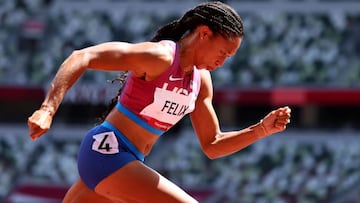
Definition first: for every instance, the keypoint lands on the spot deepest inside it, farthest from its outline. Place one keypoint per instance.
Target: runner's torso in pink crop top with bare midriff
(156, 105)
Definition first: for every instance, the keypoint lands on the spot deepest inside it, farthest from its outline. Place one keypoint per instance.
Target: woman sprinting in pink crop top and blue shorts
(169, 77)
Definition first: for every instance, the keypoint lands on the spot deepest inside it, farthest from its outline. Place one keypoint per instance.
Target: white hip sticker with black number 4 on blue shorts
(105, 143)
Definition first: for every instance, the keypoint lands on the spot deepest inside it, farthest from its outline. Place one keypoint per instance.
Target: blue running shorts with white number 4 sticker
(102, 151)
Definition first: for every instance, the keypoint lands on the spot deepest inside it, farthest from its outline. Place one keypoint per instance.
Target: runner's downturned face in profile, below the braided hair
(215, 49)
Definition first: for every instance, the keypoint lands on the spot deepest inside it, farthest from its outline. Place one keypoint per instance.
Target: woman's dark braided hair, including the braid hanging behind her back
(218, 16)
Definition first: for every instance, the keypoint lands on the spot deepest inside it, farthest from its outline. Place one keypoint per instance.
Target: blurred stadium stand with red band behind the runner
(302, 53)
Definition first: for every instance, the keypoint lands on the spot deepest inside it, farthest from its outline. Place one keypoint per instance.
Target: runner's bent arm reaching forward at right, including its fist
(217, 144)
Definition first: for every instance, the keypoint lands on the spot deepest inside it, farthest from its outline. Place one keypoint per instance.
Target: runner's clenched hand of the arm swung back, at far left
(39, 123)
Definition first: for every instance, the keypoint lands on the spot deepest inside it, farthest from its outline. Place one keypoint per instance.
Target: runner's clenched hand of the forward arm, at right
(276, 120)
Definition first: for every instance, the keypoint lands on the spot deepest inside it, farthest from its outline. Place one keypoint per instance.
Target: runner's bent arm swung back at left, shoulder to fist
(111, 56)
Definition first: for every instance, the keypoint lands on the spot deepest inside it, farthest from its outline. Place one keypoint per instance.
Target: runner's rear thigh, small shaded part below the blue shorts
(79, 193)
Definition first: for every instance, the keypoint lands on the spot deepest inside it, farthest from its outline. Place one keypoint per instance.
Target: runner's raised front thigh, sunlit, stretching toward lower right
(138, 182)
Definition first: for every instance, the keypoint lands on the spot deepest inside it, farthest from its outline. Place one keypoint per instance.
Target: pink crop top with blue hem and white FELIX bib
(162, 102)
